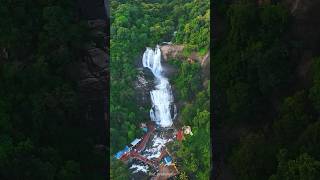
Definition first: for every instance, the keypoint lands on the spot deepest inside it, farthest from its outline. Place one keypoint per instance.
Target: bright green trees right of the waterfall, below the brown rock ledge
(194, 154)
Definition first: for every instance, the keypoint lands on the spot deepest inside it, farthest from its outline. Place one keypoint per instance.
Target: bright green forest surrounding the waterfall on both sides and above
(145, 23)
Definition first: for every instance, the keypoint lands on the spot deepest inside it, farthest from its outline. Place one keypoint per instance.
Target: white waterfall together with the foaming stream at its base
(163, 111)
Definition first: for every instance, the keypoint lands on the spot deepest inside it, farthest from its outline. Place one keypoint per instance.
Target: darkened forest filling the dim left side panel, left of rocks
(43, 130)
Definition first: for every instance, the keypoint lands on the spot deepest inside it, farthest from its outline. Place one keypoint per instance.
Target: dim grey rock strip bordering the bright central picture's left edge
(93, 75)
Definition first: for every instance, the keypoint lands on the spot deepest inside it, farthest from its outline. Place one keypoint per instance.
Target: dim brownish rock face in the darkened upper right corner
(305, 32)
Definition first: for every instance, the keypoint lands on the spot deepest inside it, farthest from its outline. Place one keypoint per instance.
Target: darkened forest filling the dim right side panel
(266, 118)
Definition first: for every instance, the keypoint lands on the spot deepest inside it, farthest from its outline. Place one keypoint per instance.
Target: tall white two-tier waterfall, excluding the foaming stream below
(161, 96)
